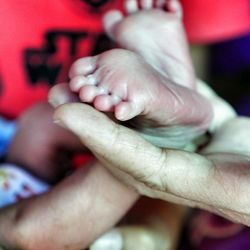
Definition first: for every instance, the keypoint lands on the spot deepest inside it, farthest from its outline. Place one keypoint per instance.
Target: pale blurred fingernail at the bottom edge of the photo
(111, 240)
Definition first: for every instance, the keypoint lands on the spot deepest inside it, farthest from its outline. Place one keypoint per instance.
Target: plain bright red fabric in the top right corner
(209, 21)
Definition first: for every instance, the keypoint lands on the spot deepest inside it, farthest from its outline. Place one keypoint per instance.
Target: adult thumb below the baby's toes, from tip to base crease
(114, 145)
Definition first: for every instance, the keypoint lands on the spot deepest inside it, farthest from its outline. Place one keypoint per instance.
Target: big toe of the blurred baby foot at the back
(110, 21)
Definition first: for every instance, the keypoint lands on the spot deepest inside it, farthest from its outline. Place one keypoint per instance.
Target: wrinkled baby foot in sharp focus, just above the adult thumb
(120, 81)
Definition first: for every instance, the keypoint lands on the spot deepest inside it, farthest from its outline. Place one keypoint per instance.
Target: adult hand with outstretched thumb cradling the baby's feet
(216, 181)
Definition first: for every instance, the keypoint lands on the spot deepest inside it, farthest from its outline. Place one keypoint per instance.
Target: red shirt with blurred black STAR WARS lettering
(39, 41)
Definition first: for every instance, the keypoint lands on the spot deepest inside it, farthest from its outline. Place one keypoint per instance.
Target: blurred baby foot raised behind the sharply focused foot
(156, 33)
